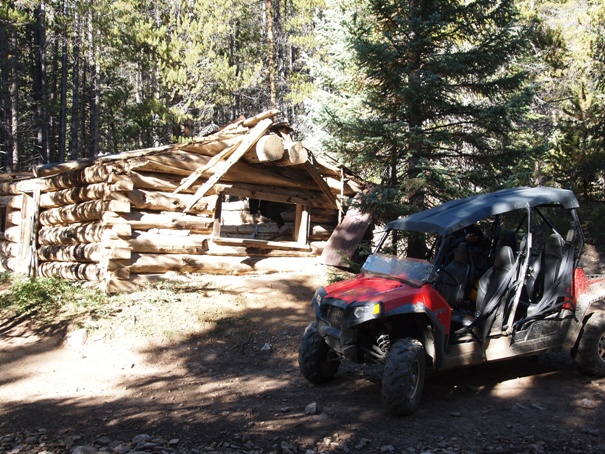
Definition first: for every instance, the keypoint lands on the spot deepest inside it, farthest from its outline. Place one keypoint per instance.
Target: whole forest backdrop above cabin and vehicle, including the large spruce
(432, 99)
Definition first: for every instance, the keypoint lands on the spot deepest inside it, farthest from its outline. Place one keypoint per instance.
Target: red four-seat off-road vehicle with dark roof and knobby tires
(486, 278)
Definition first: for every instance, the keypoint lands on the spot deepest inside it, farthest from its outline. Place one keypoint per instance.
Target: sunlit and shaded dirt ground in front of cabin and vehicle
(213, 368)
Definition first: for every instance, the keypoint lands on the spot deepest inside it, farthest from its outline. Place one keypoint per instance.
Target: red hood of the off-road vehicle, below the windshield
(365, 289)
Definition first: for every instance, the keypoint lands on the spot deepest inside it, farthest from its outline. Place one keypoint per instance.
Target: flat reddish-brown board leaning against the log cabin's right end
(345, 239)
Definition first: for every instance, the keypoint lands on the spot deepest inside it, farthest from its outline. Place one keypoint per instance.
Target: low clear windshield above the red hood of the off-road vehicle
(412, 271)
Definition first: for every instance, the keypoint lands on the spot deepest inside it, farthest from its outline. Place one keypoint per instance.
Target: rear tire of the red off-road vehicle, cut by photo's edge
(590, 356)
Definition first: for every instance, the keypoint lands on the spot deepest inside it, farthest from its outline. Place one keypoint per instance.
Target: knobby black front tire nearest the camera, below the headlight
(403, 377)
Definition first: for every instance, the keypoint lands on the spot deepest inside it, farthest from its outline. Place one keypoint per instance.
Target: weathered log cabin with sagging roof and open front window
(125, 220)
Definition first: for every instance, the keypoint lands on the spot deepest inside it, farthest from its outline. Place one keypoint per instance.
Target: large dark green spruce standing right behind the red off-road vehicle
(440, 98)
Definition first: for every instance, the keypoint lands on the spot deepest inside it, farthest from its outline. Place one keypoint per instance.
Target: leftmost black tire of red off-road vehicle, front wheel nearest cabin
(317, 362)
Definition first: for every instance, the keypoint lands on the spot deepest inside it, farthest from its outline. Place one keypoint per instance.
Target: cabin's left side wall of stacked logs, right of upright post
(74, 241)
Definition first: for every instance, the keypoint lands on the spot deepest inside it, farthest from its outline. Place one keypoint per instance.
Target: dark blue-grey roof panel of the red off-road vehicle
(457, 214)
